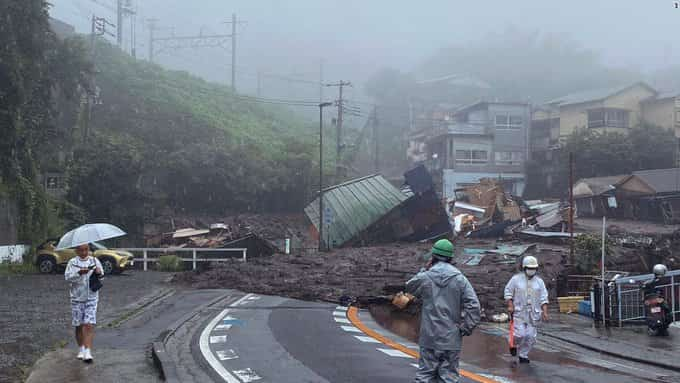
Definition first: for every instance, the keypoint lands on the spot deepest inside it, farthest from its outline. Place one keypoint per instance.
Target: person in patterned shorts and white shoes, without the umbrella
(83, 300)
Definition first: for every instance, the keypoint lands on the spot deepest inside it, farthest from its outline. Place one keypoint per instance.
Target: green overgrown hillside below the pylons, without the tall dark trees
(166, 142)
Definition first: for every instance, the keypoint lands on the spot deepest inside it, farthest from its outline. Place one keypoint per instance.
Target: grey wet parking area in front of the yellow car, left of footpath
(35, 314)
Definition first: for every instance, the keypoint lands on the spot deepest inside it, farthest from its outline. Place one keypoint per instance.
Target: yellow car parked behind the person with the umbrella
(113, 261)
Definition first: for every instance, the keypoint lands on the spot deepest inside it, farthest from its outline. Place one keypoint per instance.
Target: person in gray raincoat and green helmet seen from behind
(450, 310)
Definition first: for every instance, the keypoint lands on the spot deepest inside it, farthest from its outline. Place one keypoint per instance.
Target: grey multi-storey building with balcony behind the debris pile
(481, 140)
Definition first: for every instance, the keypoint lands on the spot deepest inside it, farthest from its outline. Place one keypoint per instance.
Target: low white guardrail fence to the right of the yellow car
(151, 254)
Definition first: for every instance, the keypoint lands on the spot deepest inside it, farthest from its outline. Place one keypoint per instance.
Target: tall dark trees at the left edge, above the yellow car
(36, 69)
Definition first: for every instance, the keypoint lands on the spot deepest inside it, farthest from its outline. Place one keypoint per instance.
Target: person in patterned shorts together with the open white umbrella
(85, 287)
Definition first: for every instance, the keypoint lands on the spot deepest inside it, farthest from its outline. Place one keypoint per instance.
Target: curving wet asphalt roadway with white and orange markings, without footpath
(269, 339)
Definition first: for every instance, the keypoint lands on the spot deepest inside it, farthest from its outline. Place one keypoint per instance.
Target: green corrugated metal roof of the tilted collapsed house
(354, 206)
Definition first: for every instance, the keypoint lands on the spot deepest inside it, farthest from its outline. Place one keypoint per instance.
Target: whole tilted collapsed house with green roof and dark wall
(370, 210)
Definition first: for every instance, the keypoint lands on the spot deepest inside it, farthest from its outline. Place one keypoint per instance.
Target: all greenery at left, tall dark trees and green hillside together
(156, 142)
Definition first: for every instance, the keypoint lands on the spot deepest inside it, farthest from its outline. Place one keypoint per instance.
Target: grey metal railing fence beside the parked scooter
(626, 297)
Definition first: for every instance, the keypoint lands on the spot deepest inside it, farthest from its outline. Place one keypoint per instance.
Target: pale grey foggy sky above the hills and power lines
(357, 37)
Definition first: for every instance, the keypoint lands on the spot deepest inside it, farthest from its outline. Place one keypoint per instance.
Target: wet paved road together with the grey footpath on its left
(243, 338)
